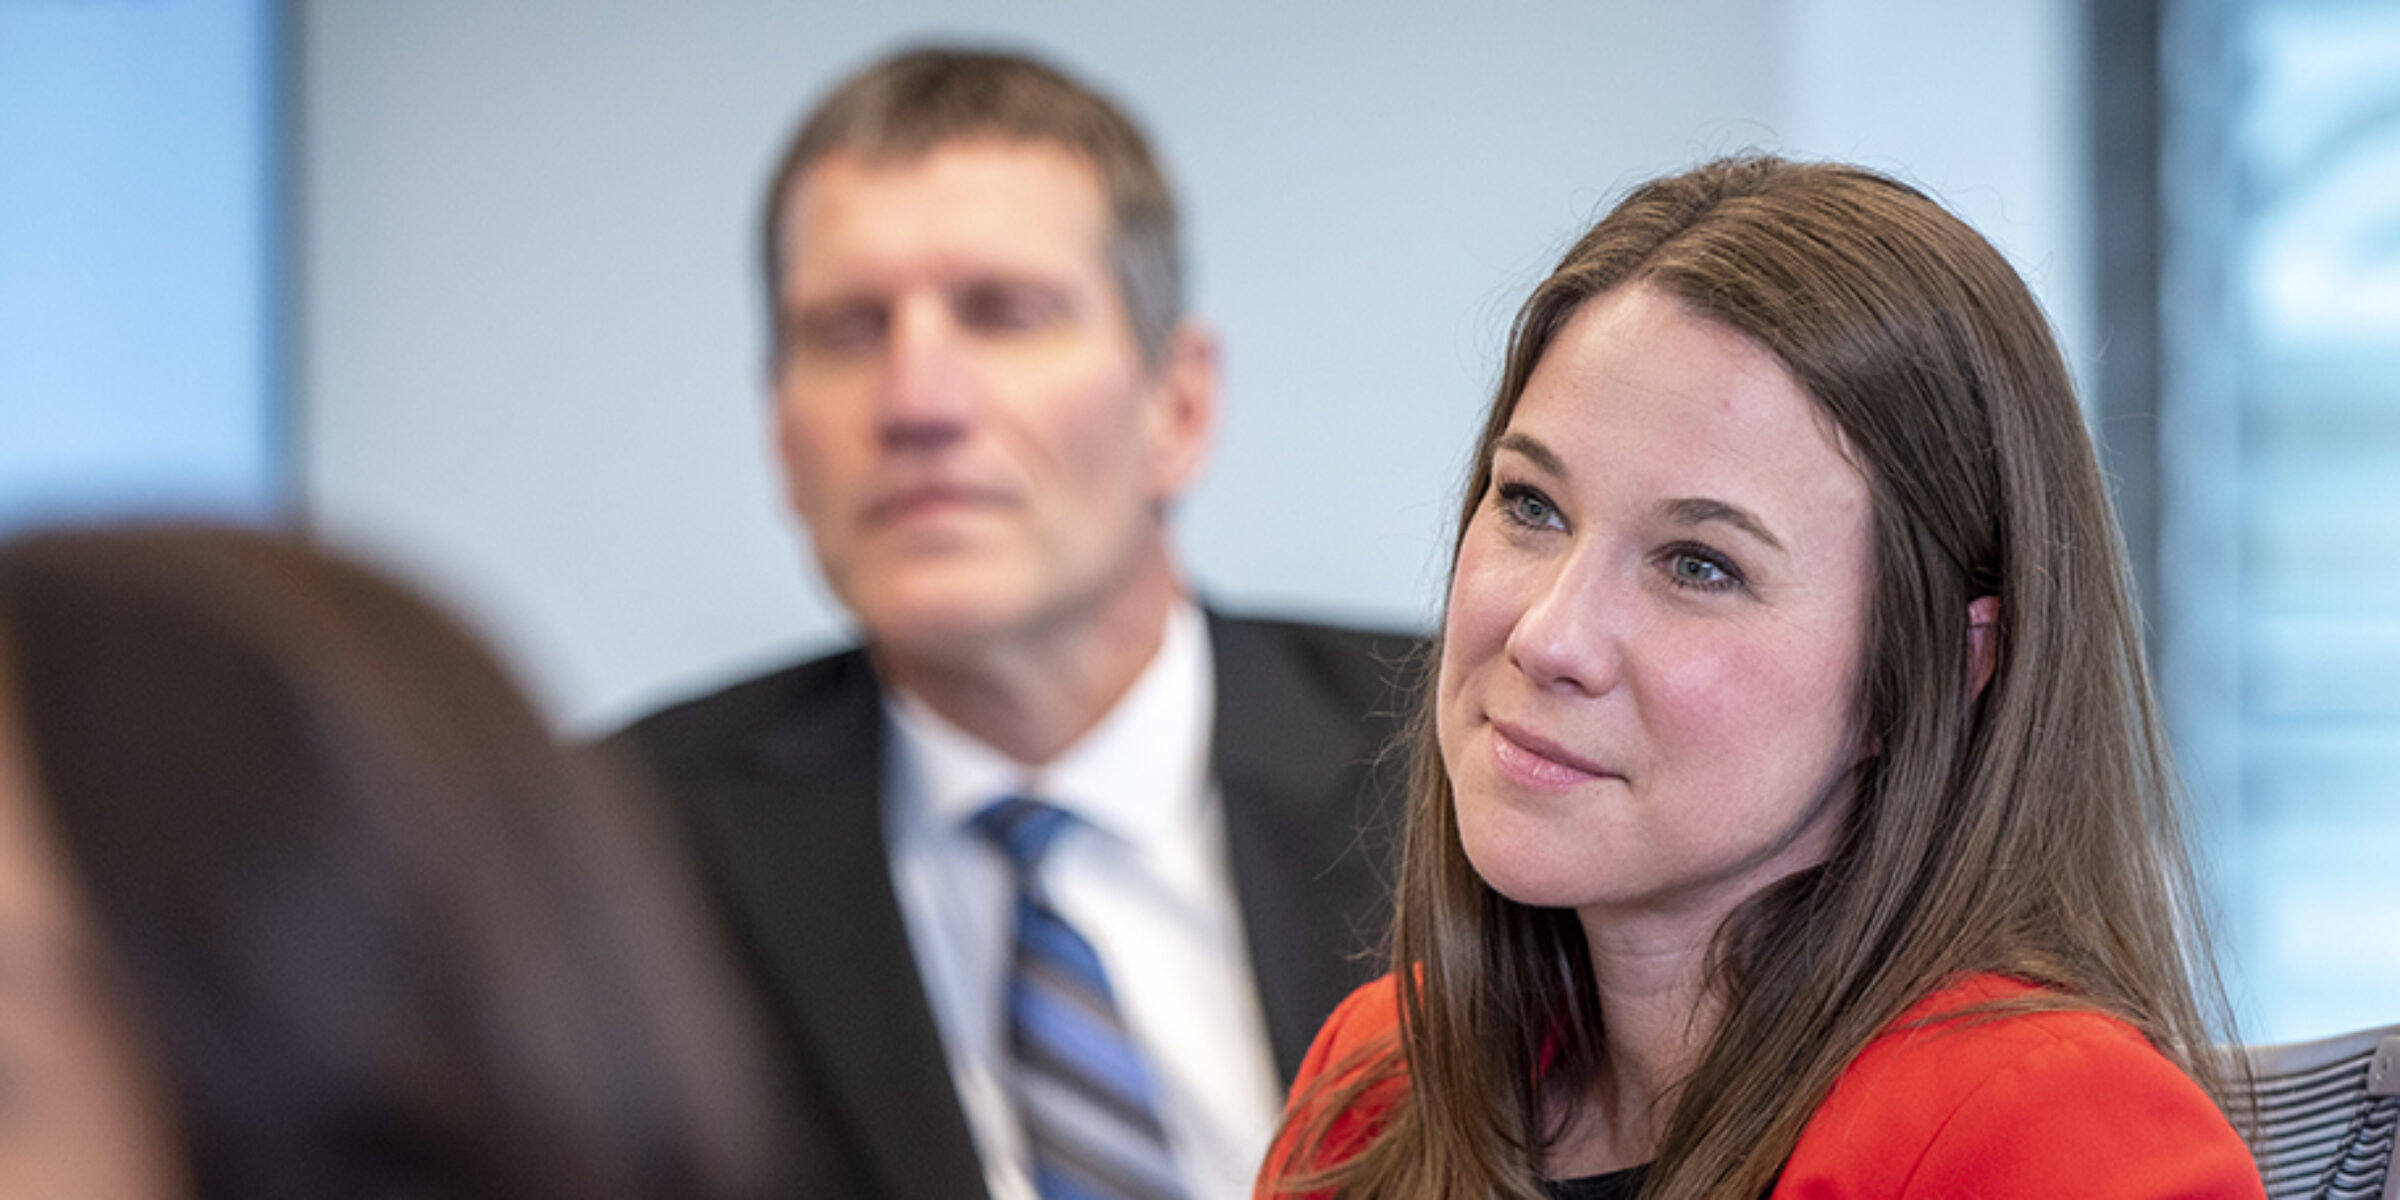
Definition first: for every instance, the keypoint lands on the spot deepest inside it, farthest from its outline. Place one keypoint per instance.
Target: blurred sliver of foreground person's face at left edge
(80, 1108)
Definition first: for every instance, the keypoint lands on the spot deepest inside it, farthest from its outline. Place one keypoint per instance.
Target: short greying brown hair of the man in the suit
(913, 102)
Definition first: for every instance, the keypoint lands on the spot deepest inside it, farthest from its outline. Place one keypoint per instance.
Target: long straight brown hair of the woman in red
(2034, 832)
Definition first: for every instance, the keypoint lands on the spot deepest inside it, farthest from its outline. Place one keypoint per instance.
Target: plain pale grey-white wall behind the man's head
(532, 337)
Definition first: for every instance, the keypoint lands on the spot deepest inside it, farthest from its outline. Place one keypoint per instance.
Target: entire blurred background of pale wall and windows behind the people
(472, 289)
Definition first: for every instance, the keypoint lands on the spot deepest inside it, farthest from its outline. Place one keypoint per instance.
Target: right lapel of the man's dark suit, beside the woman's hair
(1295, 769)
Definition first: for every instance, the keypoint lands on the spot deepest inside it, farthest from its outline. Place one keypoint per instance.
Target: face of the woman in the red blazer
(1650, 668)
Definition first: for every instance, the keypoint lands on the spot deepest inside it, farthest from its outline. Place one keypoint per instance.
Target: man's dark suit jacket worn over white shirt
(779, 781)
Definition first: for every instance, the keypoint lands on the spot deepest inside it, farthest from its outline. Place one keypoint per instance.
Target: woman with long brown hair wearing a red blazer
(1792, 812)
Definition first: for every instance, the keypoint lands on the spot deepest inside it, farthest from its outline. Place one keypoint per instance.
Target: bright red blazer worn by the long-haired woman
(2036, 1105)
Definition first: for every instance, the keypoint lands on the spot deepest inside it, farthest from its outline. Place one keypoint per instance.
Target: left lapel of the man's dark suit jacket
(805, 848)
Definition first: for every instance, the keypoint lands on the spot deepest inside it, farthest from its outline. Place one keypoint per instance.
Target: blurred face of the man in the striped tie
(966, 421)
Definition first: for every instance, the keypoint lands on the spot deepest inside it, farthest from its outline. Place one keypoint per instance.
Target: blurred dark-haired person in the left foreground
(301, 901)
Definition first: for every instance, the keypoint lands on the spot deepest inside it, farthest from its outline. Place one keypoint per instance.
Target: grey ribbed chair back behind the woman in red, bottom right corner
(2327, 1117)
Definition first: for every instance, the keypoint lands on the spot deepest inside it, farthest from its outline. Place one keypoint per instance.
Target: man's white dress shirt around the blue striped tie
(1141, 875)
